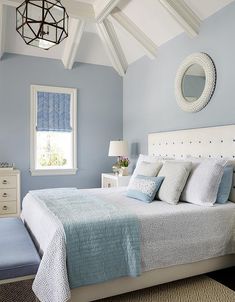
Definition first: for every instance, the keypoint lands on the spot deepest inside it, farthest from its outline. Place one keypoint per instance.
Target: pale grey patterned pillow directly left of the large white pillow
(175, 175)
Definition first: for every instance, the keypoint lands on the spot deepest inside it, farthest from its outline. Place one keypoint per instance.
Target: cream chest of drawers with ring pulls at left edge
(9, 193)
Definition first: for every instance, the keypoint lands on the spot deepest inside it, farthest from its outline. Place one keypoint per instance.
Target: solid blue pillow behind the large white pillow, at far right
(225, 185)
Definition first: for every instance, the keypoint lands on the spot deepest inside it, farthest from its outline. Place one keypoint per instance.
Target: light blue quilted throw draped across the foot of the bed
(102, 239)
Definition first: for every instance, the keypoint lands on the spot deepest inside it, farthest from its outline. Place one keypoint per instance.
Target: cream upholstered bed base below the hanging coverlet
(150, 278)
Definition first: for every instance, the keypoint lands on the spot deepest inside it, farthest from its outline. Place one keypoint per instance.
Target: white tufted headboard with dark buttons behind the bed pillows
(202, 142)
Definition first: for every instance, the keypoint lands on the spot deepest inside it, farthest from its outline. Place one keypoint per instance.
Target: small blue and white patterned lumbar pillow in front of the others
(144, 188)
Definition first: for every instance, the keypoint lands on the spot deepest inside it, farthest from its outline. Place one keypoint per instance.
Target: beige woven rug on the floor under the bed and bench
(196, 289)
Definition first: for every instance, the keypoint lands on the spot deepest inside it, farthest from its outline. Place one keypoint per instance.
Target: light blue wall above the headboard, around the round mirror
(149, 100)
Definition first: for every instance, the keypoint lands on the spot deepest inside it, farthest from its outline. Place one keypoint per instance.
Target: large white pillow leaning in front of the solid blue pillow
(203, 183)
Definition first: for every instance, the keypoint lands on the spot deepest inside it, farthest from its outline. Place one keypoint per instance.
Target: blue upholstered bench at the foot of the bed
(19, 259)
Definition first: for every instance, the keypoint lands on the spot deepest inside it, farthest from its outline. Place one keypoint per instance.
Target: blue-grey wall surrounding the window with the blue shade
(99, 116)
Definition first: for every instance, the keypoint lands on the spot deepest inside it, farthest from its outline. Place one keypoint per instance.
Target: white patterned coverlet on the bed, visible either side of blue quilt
(170, 235)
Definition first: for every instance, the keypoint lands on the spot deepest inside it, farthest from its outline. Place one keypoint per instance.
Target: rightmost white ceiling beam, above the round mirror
(184, 15)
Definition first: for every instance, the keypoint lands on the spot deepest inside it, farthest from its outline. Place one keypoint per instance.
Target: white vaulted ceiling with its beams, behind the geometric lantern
(151, 24)
